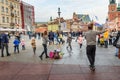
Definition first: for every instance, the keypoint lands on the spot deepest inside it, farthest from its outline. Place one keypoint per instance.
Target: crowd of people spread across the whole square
(102, 38)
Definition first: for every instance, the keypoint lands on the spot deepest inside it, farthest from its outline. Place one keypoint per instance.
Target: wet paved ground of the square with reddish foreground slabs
(27, 66)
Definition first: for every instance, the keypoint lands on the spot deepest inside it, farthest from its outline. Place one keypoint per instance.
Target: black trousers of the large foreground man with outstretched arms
(90, 51)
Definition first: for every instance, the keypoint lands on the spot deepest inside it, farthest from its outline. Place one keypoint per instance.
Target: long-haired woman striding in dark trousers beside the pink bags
(45, 41)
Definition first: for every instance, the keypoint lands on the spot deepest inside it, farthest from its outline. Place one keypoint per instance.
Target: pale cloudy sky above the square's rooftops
(44, 9)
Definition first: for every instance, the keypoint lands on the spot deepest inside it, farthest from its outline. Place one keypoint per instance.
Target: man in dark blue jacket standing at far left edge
(4, 44)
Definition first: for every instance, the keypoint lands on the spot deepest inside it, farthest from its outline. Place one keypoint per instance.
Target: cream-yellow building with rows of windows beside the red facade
(10, 14)
